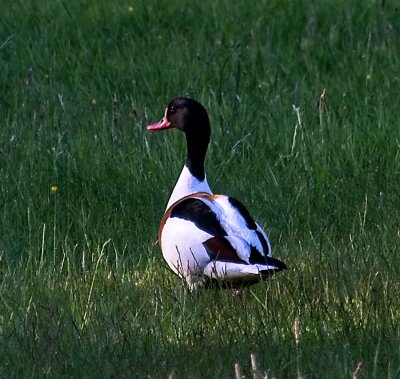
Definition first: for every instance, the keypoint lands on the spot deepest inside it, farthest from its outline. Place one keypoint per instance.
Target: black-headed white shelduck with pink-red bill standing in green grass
(207, 238)
